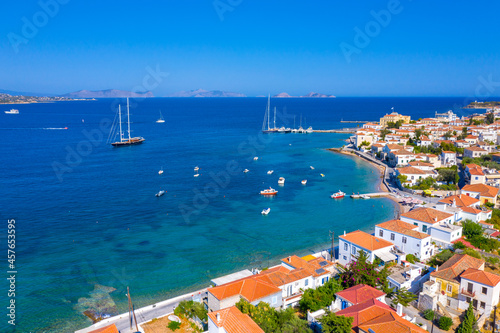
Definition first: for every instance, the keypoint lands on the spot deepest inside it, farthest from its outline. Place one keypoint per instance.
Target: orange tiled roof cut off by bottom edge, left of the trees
(234, 321)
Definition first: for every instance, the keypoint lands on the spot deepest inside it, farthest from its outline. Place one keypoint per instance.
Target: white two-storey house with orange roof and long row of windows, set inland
(406, 238)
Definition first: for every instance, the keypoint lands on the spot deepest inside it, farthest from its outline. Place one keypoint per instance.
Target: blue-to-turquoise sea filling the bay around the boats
(88, 223)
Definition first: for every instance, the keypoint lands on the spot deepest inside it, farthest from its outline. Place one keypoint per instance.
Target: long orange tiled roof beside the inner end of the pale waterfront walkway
(251, 288)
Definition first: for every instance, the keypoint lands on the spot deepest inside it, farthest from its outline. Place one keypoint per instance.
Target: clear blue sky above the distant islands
(425, 48)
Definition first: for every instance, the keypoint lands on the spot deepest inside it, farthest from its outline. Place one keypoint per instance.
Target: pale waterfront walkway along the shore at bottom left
(144, 314)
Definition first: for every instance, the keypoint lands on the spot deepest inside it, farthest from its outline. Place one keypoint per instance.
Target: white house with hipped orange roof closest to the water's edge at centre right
(351, 243)
